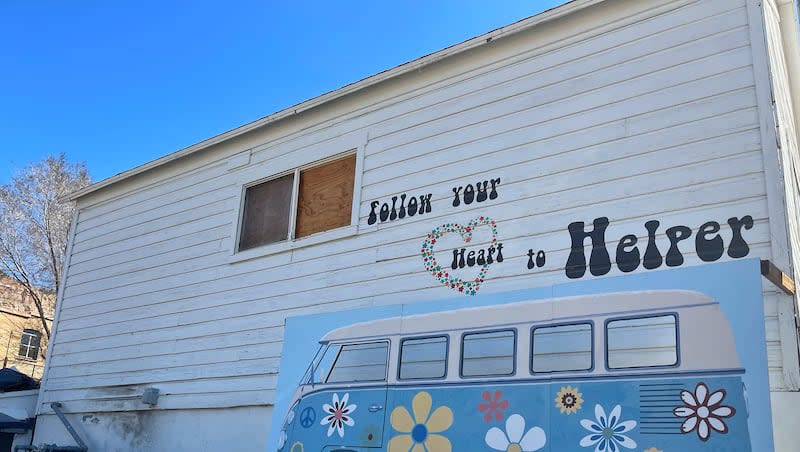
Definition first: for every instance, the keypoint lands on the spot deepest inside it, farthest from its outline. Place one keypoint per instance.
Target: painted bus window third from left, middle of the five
(486, 354)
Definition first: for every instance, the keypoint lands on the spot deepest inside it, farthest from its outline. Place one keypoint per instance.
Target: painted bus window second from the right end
(562, 348)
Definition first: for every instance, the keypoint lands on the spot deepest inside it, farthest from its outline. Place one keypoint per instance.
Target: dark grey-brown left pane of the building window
(266, 212)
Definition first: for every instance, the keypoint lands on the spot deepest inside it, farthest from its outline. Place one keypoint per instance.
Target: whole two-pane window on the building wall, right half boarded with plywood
(295, 205)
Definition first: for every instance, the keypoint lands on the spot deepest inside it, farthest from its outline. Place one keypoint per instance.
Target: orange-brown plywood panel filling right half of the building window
(326, 196)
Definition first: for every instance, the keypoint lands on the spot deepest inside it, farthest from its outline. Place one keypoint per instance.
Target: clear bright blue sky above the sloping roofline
(119, 83)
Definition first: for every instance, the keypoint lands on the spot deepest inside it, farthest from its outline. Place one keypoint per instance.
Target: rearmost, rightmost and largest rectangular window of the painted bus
(642, 342)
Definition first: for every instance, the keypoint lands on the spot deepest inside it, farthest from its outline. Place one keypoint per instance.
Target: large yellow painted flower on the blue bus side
(419, 434)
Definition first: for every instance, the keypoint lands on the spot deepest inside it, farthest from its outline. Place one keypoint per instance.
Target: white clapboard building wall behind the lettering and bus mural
(635, 110)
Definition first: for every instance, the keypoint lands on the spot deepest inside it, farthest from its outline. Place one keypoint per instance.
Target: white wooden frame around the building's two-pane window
(250, 175)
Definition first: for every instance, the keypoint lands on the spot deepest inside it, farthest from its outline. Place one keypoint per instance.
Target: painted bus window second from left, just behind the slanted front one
(423, 358)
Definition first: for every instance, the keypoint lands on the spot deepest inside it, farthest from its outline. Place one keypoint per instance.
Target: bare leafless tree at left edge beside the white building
(34, 225)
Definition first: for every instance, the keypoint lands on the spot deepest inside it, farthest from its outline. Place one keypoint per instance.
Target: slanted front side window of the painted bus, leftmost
(357, 362)
